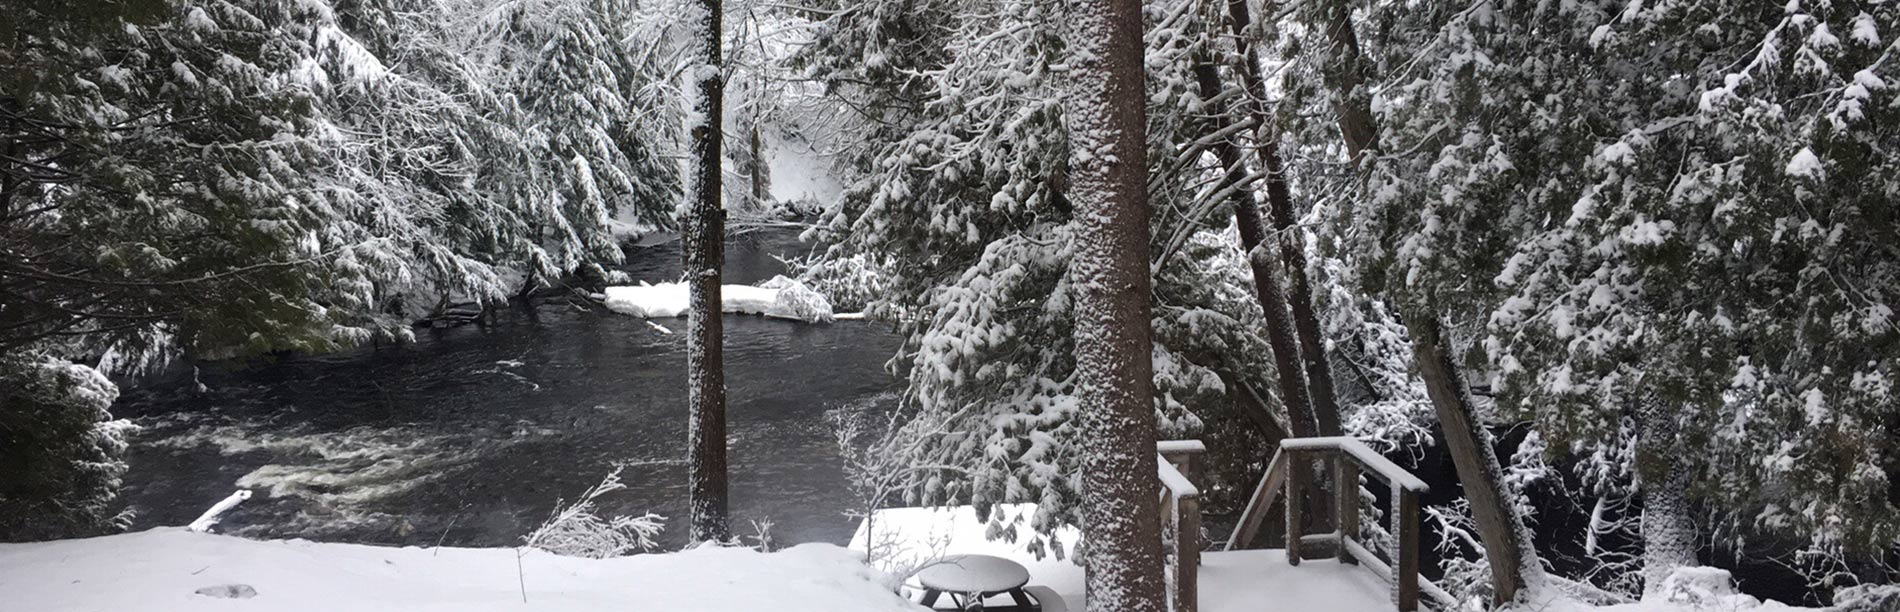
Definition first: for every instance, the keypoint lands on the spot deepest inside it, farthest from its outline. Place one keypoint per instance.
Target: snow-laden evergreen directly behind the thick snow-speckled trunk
(962, 199)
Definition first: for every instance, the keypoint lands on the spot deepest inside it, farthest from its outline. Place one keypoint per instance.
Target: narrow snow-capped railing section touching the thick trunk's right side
(1181, 522)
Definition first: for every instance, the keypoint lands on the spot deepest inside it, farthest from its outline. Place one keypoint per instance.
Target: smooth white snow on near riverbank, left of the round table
(166, 569)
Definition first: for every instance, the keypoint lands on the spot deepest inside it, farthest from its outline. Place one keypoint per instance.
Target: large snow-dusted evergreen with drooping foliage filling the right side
(1648, 208)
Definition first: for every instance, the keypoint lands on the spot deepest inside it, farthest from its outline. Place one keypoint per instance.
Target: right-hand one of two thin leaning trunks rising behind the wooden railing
(1316, 372)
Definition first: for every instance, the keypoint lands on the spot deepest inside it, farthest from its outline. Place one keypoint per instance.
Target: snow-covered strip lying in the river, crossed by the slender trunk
(780, 297)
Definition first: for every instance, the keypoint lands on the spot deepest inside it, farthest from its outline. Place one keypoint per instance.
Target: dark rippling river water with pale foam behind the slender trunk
(472, 434)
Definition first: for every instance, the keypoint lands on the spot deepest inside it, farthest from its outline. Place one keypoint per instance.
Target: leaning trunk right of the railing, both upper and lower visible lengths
(1506, 541)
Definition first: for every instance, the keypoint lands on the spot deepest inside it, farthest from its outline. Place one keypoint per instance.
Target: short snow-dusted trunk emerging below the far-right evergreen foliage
(1669, 533)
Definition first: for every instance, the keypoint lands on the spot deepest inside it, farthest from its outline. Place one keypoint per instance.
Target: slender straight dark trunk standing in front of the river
(704, 254)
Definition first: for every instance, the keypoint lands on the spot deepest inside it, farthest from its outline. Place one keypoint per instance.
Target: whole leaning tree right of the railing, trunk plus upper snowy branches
(1424, 307)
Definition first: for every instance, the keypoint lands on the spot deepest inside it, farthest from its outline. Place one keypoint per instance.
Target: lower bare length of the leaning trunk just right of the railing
(1506, 541)
